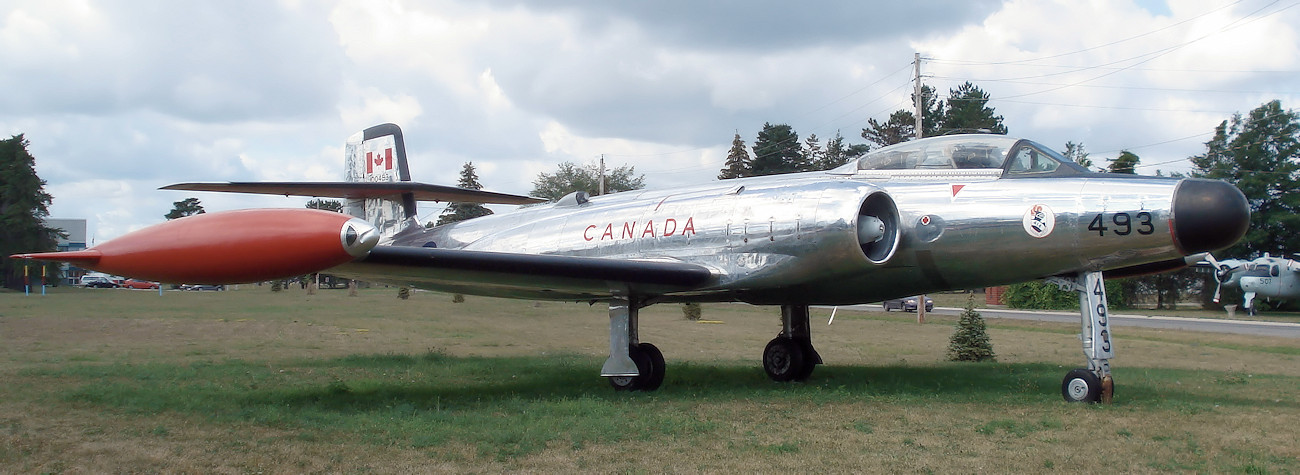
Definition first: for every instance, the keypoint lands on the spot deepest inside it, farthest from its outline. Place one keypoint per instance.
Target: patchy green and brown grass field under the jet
(259, 382)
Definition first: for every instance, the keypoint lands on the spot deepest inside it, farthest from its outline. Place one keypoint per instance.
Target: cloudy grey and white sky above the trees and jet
(120, 98)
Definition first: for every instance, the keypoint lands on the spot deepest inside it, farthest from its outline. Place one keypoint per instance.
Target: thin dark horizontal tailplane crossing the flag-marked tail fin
(362, 191)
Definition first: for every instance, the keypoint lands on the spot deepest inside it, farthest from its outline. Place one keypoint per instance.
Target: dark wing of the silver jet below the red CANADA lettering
(525, 275)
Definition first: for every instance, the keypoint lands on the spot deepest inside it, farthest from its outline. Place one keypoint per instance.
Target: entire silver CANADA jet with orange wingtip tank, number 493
(924, 217)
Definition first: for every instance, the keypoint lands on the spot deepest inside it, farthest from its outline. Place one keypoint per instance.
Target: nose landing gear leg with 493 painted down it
(1091, 385)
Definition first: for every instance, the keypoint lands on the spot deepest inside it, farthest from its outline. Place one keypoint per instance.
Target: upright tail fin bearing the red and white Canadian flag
(379, 156)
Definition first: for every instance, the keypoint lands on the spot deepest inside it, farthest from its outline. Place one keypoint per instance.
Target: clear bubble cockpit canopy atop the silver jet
(973, 152)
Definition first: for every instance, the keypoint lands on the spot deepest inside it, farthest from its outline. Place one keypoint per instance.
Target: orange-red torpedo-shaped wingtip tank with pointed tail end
(229, 248)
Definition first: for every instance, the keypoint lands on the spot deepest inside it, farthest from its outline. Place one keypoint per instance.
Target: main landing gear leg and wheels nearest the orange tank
(632, 365)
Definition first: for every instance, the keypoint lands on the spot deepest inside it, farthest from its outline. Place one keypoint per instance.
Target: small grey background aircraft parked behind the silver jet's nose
(1268, 277)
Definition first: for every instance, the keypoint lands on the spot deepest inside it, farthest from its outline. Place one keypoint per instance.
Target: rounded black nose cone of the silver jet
(1210, 215)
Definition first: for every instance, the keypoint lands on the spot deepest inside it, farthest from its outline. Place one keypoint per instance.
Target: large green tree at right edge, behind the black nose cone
(1260, 154)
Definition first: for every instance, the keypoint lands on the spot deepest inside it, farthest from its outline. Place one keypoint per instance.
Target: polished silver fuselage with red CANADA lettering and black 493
(795, 237)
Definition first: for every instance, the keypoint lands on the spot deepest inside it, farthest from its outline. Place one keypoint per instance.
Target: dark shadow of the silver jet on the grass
(566, 378)
